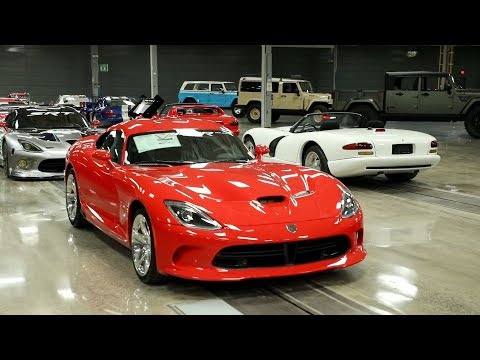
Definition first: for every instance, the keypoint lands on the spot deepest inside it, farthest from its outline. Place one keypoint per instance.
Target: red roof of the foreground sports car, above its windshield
(142, 125)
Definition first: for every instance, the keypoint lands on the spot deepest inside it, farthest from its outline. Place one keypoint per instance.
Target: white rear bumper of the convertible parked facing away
(370, 165)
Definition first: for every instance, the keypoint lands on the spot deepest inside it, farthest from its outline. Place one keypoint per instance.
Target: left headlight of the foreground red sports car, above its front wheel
(191, 216)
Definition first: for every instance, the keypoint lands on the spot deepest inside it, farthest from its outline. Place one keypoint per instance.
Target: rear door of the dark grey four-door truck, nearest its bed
(402, 97)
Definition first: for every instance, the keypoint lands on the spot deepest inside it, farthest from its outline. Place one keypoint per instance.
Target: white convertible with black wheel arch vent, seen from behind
(335, 143)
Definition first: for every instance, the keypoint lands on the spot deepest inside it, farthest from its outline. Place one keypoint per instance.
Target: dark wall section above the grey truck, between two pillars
(364, 67)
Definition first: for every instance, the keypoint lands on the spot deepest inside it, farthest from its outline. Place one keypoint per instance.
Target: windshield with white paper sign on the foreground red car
(185, 146)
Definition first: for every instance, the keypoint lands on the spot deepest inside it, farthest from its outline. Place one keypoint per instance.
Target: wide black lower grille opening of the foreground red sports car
(274, 255)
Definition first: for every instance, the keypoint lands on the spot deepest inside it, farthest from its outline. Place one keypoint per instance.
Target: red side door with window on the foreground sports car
(103, 177)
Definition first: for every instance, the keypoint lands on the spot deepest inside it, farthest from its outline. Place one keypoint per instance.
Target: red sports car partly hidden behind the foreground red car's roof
(200, 111)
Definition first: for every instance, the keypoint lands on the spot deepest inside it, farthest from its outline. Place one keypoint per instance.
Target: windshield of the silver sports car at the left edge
(42, 119)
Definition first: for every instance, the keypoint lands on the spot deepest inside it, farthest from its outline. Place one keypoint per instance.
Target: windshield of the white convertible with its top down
(313, 122)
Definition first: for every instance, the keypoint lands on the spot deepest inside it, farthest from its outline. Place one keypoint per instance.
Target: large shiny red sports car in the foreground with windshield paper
(190, 201)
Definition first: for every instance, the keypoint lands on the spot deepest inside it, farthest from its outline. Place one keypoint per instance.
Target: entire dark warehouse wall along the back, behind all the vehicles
(49, 70)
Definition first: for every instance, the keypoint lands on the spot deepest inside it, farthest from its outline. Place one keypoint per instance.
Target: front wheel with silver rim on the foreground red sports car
(149, 275)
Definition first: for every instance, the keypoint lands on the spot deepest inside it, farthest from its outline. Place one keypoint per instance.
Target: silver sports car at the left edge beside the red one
(35, 140)
